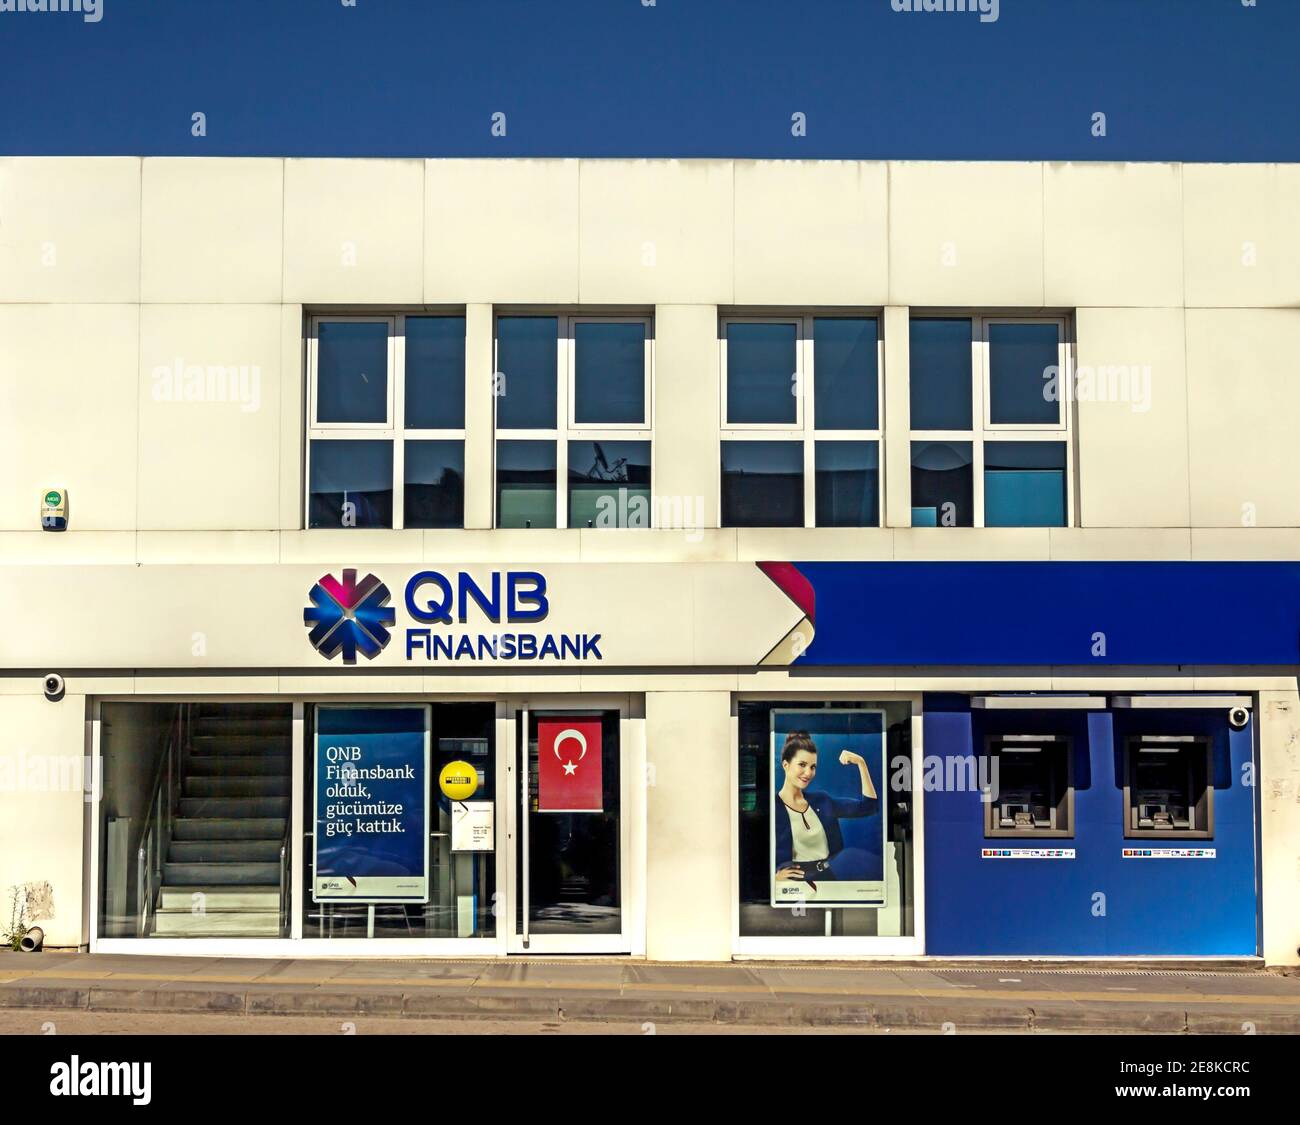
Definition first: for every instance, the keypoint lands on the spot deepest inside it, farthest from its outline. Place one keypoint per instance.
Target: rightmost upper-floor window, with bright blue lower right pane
(991, 429)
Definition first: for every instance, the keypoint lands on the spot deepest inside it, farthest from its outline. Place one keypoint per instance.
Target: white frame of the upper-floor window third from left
(804, 431)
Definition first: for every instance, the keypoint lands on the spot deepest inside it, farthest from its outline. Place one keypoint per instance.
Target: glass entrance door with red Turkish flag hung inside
(570, 840)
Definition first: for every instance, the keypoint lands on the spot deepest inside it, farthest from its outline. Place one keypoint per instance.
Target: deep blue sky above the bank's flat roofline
(1178, 80)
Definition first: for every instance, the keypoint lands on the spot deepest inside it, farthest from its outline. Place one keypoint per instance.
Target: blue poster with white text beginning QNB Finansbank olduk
(372, 806)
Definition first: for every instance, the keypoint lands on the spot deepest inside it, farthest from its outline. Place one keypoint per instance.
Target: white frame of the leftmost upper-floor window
(393, 430)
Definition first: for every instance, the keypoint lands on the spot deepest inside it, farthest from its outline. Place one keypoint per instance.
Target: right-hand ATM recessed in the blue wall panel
(1169, 791)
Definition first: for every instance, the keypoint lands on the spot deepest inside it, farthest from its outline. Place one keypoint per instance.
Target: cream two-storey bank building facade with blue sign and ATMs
(645, 559)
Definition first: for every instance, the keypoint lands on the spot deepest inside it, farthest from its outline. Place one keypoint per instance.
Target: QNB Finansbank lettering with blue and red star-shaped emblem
(456, 618)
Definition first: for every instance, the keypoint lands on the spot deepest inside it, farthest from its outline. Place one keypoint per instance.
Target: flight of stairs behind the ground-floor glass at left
(222, 873)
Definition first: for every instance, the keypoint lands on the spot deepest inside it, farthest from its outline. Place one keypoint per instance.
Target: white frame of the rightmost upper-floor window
(983, 431)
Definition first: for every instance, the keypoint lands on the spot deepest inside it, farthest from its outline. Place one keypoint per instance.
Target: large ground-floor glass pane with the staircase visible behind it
(196, 797)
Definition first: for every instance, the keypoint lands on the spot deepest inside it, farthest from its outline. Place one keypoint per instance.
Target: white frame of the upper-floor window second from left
(565, 429)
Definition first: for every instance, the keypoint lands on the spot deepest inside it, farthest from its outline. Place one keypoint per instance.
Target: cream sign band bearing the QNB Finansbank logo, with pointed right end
(419, 617)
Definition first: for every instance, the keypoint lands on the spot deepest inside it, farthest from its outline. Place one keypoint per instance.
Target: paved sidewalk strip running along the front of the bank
(968, 997)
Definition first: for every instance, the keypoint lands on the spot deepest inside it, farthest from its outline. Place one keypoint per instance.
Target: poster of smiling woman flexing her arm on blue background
(829, 825)
